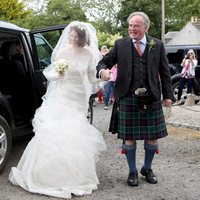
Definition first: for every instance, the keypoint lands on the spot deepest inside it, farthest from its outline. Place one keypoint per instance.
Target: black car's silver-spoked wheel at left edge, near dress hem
(5, 143)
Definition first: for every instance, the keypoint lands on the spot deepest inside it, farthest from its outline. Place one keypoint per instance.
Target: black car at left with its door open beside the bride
(22, 83)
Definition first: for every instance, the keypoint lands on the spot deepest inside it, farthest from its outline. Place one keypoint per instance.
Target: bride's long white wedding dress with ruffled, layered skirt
(60, 159)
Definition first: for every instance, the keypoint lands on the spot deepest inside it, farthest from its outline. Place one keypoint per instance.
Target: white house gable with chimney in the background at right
(189, 34)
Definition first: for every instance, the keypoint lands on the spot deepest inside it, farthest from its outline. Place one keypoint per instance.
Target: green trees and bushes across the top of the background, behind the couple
(108, 17)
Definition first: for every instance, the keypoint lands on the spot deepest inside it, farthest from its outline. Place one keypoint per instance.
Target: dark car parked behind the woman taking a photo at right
(175, 55)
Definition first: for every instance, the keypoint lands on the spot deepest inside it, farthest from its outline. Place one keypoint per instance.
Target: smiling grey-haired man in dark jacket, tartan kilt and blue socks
(143, 73)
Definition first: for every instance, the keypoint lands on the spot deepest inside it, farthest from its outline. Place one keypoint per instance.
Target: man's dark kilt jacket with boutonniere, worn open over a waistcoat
(158, 73)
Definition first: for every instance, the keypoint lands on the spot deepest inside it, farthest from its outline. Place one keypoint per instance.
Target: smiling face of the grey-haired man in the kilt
(137, 28)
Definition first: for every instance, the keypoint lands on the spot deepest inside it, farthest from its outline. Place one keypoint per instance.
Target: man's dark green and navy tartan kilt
(136, 118)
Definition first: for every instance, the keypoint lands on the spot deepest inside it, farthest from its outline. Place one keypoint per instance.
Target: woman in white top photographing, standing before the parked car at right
(187, 75)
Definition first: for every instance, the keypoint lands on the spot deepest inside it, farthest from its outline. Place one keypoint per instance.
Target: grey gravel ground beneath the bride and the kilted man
(177, 166)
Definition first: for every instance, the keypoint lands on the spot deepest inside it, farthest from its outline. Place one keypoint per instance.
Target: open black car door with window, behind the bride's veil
(43, 42)
